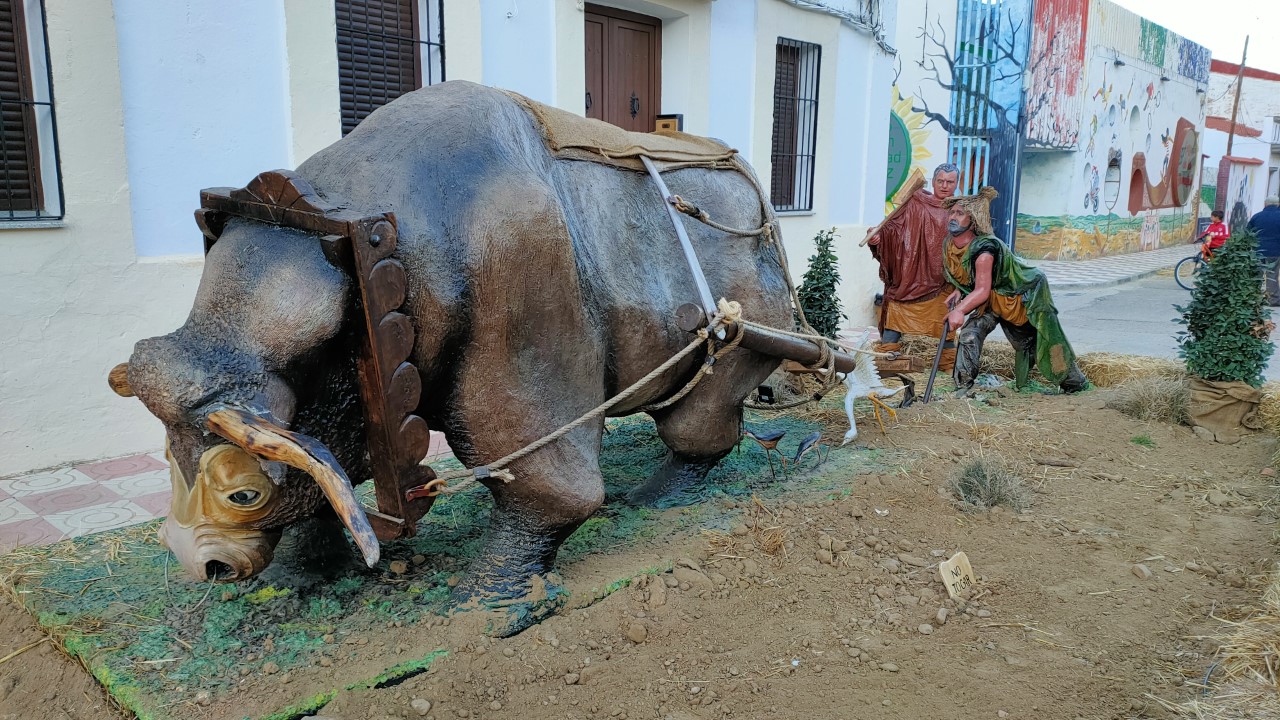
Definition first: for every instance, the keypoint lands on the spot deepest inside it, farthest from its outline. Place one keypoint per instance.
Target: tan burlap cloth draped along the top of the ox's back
(584, 139)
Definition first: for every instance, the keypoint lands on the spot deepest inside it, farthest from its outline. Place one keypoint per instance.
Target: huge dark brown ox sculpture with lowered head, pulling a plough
(538, 284)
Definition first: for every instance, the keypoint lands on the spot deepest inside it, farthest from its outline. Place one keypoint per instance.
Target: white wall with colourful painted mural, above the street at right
(1126, 177)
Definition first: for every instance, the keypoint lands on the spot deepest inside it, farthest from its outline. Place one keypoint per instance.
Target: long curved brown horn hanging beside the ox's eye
(271, 443)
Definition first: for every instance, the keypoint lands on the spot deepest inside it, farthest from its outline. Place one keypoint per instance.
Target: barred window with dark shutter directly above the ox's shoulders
(386, 49)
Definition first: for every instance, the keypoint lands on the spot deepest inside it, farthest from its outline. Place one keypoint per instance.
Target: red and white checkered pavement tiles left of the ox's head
(66, 503)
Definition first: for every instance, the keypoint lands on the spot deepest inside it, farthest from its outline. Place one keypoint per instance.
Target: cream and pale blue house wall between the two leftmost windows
(74, 300)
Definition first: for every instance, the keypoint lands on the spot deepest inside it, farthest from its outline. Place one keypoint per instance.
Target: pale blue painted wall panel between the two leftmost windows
(207, 103)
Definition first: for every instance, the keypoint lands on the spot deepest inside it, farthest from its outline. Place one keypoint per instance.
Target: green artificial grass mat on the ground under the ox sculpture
(282, 645)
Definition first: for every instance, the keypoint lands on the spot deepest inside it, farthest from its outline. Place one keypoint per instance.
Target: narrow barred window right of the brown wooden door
(796, 125)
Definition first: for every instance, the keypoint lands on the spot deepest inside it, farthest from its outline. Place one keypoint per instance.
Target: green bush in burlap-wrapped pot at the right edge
(1227, 343)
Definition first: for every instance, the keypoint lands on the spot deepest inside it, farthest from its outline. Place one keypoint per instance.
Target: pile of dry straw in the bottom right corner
(1245, 681)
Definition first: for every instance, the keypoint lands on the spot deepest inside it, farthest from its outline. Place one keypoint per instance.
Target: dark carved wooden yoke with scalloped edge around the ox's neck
(390, 385)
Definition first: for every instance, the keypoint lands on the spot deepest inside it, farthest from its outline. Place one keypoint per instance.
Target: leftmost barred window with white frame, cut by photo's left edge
(31, 184)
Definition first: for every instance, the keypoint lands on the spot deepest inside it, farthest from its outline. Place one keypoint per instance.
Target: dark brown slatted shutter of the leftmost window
(20, 181)
